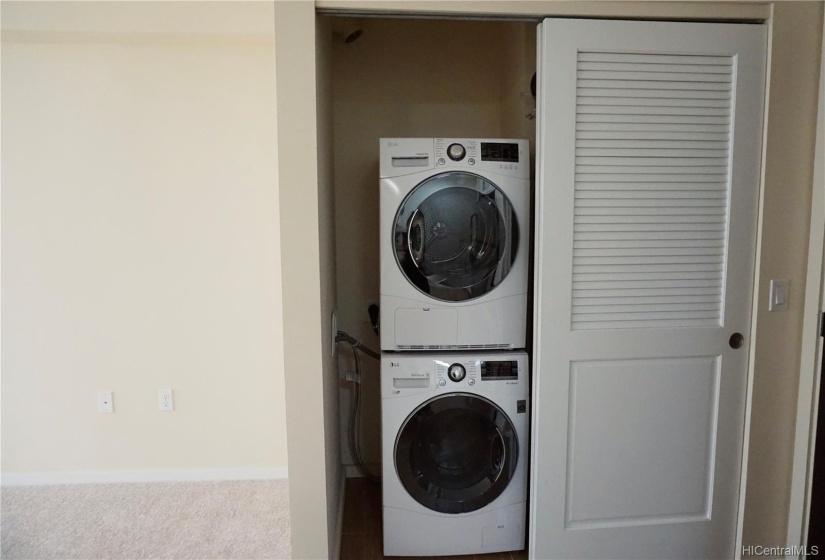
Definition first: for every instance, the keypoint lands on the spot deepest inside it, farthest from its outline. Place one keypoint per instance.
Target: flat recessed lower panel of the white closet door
(611, 415)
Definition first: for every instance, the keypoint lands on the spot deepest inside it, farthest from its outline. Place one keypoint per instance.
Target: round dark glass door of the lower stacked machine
(456, 453)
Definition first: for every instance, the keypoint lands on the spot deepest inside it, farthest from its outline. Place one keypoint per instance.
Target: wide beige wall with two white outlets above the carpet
(140, 237)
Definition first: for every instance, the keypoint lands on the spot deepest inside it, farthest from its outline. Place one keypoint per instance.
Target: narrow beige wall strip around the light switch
(792, 106)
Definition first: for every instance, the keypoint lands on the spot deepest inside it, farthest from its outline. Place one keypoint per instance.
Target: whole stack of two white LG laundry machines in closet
(454, 374)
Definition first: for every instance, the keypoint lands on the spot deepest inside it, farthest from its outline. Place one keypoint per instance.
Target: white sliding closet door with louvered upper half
(648, 179)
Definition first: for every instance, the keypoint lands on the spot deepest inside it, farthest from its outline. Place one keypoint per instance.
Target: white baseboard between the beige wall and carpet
(172, 475)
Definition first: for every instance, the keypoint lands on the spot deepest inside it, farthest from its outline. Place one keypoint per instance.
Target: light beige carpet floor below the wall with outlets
(180, 521)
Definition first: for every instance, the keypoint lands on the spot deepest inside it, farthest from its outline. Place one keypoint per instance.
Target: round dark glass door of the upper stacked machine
(456, 236)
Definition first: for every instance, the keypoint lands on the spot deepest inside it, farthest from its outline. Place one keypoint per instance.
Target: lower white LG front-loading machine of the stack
(454, 433)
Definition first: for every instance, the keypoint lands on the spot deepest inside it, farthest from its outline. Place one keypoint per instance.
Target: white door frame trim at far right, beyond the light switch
(809, 368)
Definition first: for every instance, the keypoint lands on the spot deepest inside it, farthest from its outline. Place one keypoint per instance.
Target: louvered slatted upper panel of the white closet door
(653, 145)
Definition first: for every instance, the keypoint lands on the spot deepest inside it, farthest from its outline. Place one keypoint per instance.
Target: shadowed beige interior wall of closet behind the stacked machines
(409, 78)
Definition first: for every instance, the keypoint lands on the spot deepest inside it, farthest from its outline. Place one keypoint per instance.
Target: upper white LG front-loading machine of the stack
(455, 243)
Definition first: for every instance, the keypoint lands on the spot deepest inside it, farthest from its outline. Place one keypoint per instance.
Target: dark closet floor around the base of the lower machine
(362, 532)
